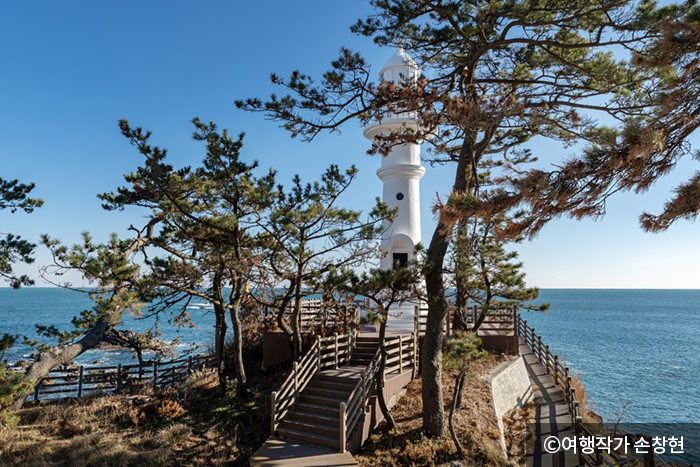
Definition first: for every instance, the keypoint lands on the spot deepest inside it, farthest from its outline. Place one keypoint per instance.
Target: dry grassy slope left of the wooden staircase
(193, 424)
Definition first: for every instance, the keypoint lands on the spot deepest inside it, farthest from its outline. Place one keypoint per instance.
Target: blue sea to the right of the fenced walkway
(636, 346)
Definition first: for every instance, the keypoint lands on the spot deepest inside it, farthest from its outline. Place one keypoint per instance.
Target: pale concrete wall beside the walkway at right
(510, 388)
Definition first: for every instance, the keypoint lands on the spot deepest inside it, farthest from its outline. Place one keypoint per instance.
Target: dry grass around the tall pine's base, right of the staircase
(475, 422)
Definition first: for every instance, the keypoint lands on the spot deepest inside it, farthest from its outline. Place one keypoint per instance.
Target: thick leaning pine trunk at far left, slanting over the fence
(47, 361)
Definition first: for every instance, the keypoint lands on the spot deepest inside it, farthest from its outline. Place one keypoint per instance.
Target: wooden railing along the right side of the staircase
(401, 354)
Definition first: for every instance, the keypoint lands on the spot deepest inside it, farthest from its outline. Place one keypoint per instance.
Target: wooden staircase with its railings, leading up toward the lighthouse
(326, 398)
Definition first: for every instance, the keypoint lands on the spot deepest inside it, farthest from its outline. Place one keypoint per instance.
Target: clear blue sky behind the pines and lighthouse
(71, 69)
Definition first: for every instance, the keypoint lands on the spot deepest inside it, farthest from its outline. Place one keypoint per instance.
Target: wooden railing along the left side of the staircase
(328, 352)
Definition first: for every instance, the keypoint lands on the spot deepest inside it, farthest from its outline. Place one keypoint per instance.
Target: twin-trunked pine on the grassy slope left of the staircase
(206, 239)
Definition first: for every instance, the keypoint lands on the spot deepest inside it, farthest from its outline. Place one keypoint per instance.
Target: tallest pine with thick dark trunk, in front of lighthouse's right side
(498, 74)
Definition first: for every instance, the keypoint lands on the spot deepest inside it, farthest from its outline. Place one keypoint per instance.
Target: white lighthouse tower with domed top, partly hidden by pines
(401, 170)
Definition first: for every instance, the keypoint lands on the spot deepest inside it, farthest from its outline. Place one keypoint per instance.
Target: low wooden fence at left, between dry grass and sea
(82, 380)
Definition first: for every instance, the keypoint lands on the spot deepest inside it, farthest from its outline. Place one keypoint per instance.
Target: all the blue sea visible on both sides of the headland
(638, 351)
